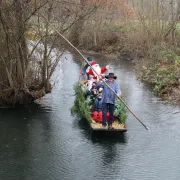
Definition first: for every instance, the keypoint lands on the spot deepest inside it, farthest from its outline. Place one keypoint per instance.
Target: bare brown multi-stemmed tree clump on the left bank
(23, 77)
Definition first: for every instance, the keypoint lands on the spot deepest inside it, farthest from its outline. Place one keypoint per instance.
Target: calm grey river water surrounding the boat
(43, 141)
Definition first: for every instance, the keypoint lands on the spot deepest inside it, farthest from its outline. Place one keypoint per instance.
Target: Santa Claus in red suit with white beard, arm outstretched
(96, 71)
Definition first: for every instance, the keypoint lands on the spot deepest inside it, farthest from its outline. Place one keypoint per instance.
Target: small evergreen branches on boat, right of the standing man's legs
(121, 112)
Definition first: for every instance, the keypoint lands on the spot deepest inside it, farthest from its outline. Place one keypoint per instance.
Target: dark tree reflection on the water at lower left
(18, 128)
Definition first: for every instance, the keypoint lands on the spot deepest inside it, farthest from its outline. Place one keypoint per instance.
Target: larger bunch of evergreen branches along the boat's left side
(81, 104)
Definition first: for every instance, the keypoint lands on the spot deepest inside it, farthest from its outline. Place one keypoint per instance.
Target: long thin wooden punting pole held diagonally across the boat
(98, 76)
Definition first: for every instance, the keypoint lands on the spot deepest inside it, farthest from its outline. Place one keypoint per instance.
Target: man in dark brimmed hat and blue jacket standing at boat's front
(109, 99)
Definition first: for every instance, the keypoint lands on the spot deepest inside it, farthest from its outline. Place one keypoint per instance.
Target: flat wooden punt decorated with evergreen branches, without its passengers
(83, 109)
